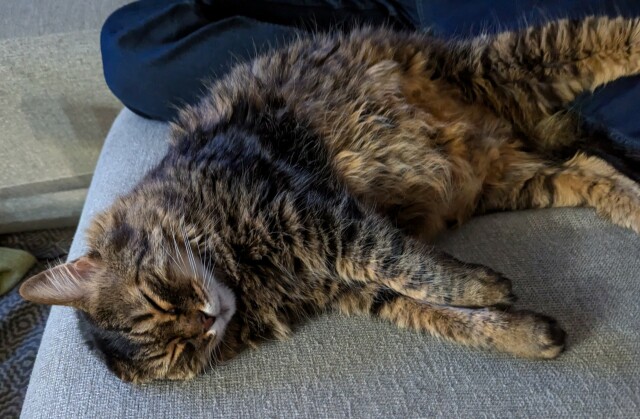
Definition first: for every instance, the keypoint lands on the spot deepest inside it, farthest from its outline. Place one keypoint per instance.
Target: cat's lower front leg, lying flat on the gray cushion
(521, 333)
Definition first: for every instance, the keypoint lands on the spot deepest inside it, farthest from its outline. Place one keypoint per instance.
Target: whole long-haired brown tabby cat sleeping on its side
(316, 177)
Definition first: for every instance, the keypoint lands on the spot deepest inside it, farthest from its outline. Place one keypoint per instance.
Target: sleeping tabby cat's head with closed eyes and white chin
(152, 303)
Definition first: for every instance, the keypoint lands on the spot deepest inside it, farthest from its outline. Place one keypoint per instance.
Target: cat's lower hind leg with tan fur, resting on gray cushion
(582, 181)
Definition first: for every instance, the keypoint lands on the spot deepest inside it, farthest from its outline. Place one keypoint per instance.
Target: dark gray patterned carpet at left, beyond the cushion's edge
(21, 322)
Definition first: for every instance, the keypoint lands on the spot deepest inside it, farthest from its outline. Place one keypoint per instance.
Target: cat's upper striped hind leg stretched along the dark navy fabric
(531, 75)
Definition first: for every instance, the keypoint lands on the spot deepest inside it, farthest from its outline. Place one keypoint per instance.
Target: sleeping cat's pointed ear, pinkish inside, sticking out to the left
(69, 284)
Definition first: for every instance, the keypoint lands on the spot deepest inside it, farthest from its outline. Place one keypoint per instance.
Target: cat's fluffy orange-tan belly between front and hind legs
(428, 168)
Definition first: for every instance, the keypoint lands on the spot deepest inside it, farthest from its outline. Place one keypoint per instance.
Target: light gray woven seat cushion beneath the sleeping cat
(567, 263)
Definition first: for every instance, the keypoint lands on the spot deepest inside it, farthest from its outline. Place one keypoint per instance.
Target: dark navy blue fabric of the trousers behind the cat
(157, 53)
